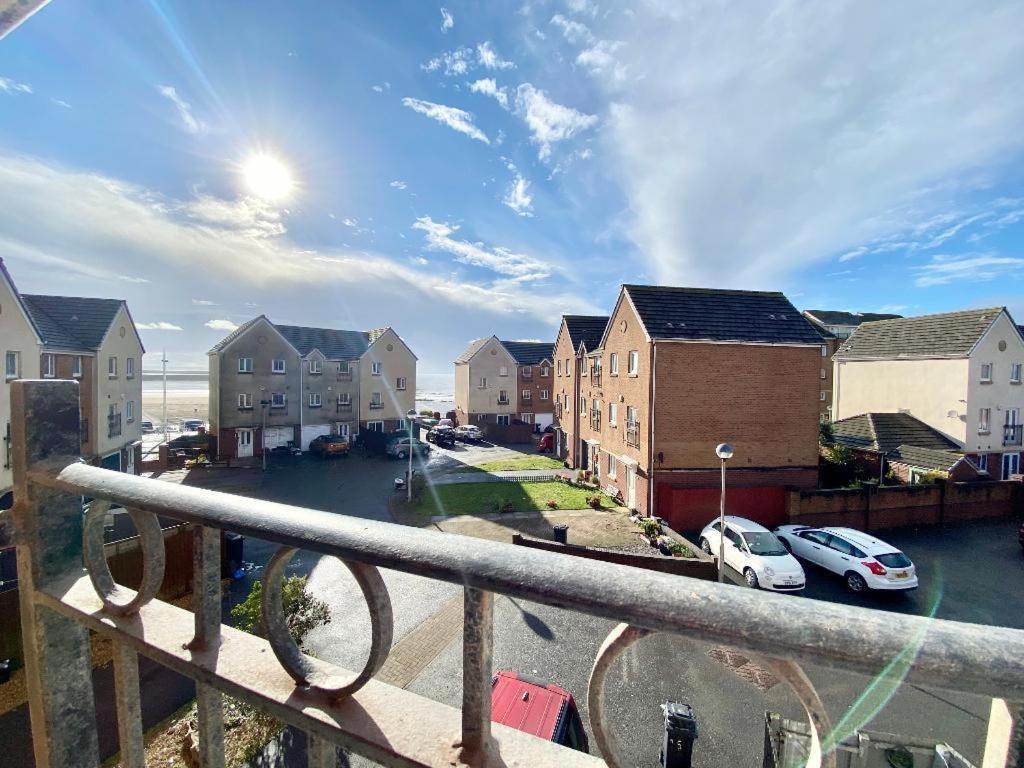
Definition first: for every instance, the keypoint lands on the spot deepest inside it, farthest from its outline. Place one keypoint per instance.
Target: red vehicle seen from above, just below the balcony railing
(540, 709)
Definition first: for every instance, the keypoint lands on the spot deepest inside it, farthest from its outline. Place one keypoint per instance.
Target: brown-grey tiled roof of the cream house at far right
(948, 335)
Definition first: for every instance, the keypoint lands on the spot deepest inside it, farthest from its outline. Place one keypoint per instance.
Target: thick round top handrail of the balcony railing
(962, 657)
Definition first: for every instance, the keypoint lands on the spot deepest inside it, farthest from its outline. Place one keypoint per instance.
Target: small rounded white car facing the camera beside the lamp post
(755, 552)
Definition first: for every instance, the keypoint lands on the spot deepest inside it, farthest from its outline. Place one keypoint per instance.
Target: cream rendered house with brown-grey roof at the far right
(961, 373)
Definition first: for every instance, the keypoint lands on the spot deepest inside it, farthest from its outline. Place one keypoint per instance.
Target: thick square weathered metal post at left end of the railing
(49, 533)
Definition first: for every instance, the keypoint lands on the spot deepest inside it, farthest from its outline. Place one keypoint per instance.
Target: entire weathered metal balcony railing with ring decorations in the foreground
(62, 603)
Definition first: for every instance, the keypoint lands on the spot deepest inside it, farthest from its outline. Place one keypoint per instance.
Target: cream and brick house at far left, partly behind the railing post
(93, 342)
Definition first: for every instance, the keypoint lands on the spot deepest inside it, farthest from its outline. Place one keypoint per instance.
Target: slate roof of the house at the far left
(71, 323)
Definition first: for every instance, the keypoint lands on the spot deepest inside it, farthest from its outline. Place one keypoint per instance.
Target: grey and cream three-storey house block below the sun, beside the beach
(272, 386)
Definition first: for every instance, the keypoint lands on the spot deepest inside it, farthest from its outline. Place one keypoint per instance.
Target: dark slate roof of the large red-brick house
(710, 315)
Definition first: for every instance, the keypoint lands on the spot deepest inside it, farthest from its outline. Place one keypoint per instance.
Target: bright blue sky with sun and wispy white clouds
(482, 168)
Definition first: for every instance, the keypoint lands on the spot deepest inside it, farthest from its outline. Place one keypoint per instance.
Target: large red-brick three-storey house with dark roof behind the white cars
(678, 371)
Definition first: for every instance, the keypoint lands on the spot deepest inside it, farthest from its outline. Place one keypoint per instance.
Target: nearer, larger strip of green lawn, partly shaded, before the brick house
(487, 498)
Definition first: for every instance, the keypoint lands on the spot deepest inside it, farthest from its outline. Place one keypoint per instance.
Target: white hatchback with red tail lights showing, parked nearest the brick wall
(866, 563)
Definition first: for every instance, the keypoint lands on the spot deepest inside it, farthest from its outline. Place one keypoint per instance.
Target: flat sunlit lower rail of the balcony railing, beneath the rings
(381, 722)
